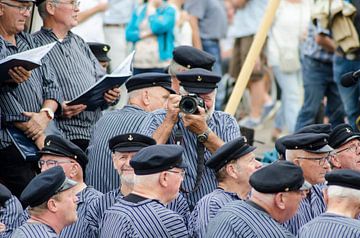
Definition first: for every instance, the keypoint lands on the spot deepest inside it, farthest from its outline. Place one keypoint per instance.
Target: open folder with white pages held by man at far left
(29, 59)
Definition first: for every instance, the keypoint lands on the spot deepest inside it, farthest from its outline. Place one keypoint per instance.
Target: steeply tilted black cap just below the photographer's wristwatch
(231, 150)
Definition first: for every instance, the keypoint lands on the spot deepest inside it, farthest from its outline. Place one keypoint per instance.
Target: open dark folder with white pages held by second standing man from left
(94, 96)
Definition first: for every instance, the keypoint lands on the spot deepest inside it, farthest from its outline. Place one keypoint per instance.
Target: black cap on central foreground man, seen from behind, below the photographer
(157, 158)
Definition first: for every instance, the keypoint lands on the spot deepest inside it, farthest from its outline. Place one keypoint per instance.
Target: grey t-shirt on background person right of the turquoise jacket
(211, 15)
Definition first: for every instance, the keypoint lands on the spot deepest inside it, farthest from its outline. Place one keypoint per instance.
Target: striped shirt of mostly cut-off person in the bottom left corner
(10, 216)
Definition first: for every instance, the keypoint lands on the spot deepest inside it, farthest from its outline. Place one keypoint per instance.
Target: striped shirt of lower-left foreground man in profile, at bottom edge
(34, 230)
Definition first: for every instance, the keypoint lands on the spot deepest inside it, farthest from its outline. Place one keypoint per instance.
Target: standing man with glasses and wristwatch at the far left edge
(29, 106)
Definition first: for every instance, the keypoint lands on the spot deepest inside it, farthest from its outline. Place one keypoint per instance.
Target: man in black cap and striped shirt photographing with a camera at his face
(191, 121)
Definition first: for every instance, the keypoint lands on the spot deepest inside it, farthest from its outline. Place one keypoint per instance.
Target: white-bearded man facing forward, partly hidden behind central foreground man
(123, 148)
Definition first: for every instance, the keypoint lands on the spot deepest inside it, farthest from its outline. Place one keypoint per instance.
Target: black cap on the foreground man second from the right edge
(280, 176)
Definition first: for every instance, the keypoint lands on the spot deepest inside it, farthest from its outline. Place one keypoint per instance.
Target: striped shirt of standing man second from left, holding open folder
(76, 69)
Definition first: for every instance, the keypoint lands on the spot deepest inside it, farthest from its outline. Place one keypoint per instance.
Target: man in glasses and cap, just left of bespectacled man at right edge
(312, 153)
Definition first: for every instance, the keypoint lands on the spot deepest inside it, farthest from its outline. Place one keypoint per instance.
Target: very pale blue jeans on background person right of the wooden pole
(290, 84)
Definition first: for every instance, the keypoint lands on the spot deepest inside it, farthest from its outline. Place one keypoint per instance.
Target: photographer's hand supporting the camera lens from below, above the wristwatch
(196, 123)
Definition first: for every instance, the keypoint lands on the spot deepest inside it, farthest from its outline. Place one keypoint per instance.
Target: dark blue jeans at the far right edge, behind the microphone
(349, 96)
